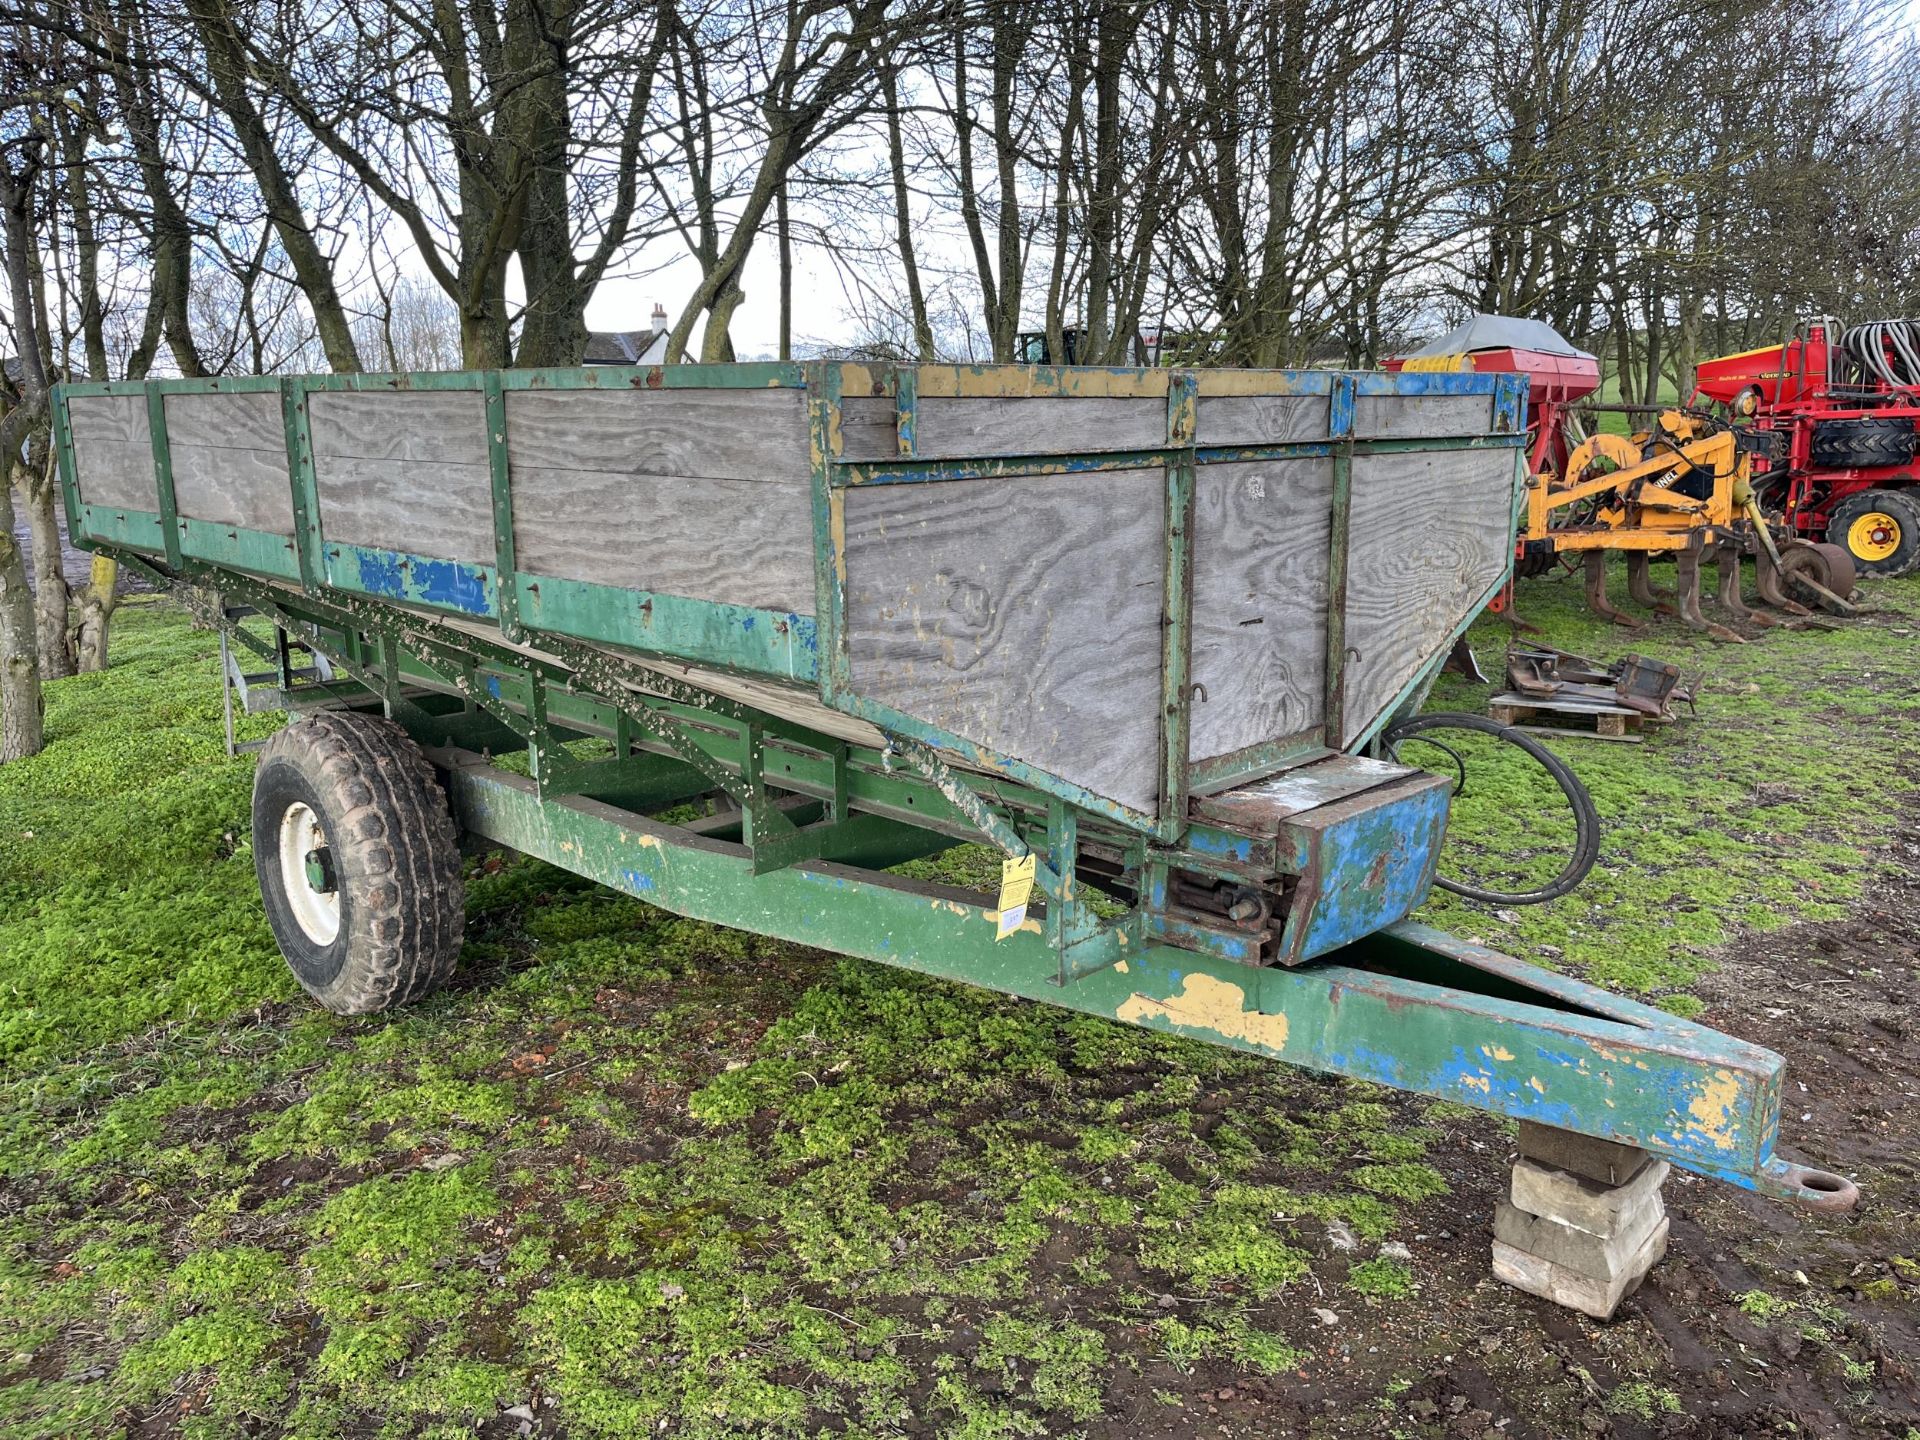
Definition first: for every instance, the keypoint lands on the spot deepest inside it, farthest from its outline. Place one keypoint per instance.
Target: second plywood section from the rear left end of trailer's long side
(229, 460)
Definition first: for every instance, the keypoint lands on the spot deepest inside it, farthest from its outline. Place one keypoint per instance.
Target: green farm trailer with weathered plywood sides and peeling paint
(1140, 631)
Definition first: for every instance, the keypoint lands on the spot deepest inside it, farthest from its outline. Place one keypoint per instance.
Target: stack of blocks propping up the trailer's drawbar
(1585, 1220)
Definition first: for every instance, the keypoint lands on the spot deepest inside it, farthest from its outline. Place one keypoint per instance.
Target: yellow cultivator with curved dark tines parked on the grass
(1683, 491)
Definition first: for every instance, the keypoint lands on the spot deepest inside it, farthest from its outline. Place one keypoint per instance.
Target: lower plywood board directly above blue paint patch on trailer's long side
(416, 508)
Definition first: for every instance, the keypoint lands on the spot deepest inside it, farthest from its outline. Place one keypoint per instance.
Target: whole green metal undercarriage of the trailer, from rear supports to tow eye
(821, 819)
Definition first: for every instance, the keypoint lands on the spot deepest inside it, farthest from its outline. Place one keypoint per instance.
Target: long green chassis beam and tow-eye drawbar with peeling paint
(1410, 1007)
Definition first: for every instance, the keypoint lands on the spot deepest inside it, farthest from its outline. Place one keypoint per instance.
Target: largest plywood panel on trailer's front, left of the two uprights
(1022, 615)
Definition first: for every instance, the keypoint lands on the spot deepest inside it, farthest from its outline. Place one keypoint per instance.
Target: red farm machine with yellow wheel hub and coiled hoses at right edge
(1842, 408)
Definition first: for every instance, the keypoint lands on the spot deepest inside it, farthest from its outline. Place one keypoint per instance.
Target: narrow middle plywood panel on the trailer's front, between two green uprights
(1262, 537)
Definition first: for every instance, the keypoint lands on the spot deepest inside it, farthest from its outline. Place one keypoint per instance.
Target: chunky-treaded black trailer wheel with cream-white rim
(358, 861)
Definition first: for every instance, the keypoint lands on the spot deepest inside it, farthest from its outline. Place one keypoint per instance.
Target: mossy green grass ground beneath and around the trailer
(638, 1176)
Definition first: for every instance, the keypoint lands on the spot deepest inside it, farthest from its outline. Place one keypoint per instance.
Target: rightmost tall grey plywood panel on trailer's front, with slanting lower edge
(1428, 537)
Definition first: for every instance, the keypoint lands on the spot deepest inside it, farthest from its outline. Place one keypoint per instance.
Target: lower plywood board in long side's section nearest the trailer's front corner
(740, 542)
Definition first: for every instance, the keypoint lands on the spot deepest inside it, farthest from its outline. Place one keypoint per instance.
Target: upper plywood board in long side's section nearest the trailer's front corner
(727, 435)
